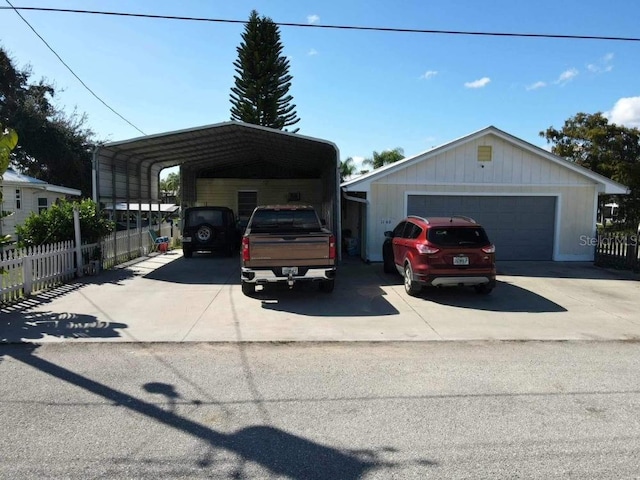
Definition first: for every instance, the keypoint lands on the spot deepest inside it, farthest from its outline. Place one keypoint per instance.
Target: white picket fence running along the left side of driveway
(33, 269)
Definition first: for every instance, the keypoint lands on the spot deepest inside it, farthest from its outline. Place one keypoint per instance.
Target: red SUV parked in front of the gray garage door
(439, 252)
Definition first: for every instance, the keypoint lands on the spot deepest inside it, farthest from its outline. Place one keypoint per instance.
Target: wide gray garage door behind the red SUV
(522, 228)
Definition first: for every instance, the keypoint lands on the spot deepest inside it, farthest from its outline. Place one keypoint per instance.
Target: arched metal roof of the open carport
(224, 146)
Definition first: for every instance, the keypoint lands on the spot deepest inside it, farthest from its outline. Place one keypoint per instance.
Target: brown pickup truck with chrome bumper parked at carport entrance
(287, 243)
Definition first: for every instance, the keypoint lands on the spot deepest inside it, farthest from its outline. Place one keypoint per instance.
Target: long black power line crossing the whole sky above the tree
(339, 27)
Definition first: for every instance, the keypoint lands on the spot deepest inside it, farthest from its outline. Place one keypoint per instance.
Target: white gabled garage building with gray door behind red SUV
(533, 204)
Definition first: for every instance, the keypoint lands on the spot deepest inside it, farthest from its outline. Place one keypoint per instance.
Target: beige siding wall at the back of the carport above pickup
(224, 191)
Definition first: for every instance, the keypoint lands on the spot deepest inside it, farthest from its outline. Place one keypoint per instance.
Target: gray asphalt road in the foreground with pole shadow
(321, 411)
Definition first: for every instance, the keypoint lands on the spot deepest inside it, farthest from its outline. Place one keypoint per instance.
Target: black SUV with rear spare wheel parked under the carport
(208, 229)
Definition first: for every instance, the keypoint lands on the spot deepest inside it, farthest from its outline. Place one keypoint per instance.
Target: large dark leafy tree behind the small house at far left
(53, 146)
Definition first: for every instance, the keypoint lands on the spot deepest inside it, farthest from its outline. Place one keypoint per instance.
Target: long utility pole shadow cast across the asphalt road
(280, 452)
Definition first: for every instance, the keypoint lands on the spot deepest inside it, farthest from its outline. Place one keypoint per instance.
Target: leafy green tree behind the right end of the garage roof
(605, 148)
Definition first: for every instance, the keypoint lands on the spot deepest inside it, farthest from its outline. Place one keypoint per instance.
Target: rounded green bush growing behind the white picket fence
(55, 224)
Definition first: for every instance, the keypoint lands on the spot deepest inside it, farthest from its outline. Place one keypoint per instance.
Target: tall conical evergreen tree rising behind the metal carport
(261, 92)
